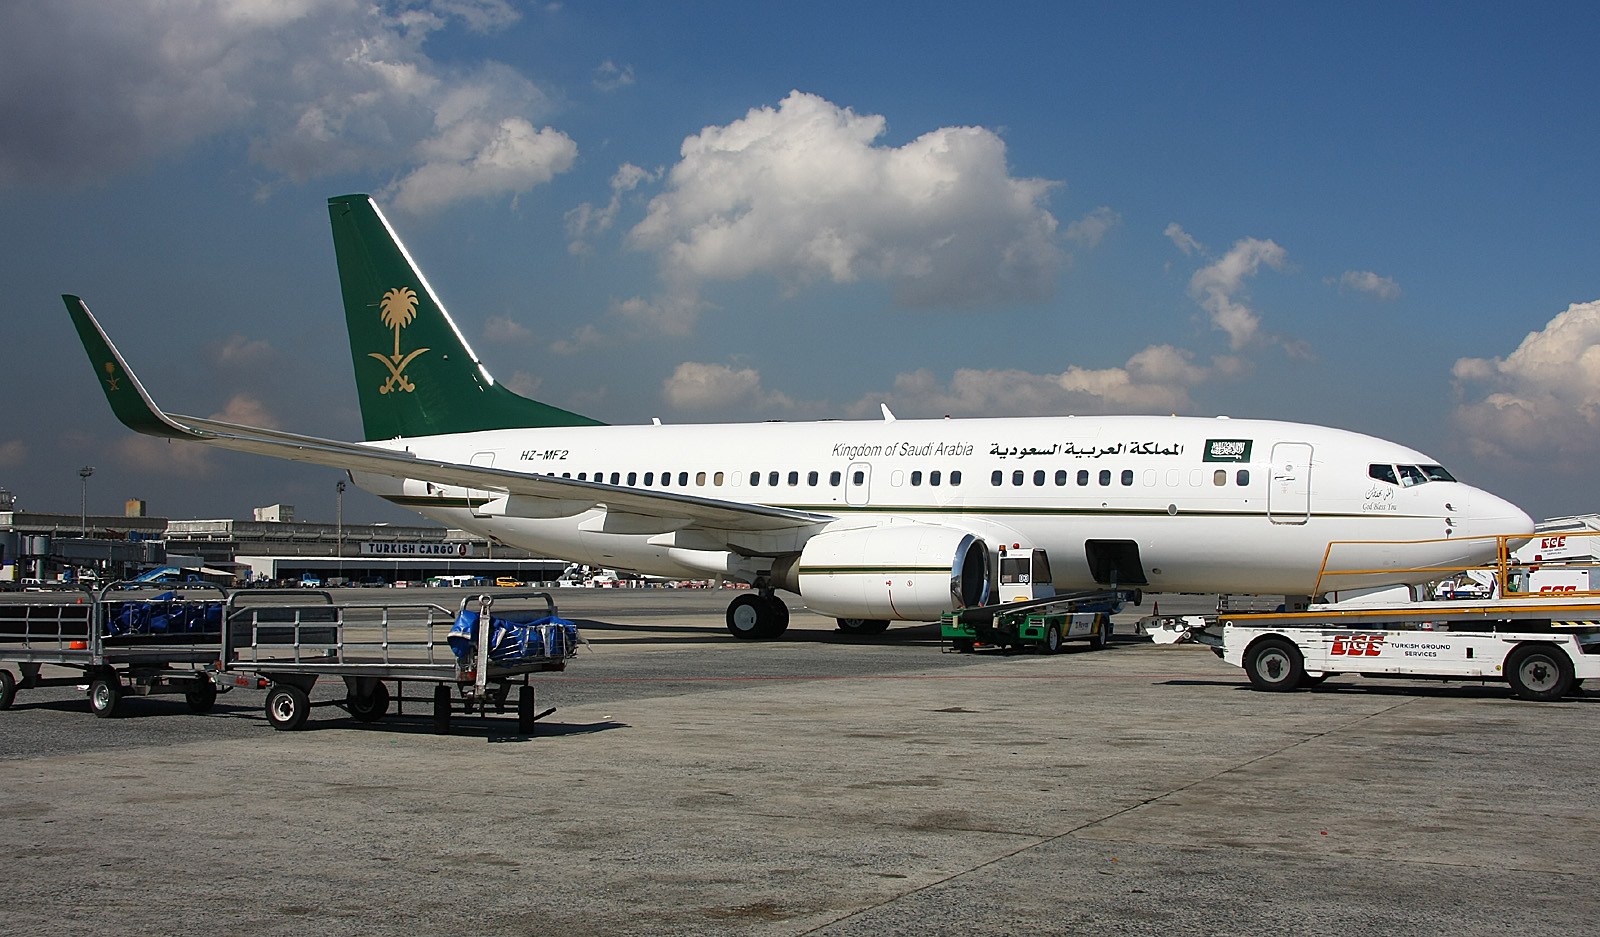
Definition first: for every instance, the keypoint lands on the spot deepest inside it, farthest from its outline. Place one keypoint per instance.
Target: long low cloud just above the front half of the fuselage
(1156, 380)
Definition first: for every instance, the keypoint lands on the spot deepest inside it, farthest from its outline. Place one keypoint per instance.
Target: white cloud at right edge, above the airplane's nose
(1542, 404)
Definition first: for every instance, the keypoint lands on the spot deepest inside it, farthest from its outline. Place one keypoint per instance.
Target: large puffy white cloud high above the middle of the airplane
(801, 193)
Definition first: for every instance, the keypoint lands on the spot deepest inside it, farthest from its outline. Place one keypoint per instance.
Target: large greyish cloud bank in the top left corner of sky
(316, 87)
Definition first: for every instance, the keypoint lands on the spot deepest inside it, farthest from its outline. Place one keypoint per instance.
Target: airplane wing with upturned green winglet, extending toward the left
(567, 496)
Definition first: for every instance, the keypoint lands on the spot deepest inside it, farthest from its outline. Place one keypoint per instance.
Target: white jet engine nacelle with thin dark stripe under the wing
(895, 572)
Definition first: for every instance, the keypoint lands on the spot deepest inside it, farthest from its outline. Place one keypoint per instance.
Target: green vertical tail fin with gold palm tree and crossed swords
(415, 373)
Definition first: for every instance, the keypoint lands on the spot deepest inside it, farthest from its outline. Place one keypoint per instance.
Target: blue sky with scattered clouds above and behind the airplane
(1367, 217)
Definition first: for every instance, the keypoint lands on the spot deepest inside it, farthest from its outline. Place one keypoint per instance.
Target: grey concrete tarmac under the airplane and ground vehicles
(694, 784)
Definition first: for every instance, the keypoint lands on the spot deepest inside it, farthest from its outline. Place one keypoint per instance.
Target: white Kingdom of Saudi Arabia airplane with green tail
(871, 520)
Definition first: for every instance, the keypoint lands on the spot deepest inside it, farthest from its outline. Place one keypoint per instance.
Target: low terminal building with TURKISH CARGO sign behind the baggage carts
(273, 548)
